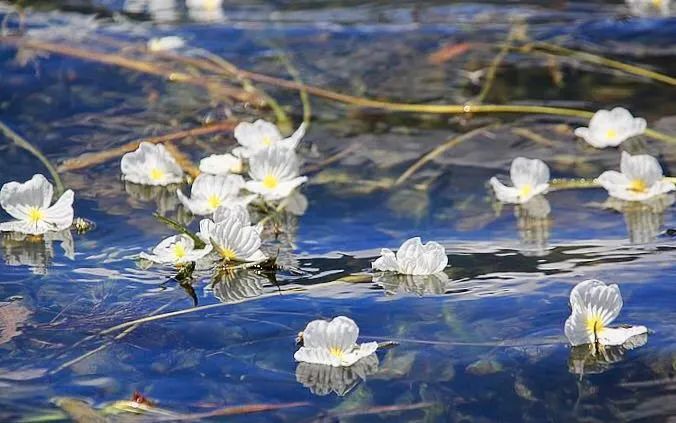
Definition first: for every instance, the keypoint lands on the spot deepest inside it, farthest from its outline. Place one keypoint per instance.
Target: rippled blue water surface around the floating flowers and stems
(486, 344)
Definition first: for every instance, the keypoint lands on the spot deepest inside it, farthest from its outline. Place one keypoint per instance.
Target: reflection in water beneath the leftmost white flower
(36, 252)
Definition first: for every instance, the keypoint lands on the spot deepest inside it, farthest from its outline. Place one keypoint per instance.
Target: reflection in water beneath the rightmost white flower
(644, 219)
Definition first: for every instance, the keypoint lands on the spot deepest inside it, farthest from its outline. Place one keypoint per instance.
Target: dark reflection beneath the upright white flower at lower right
(583, 361)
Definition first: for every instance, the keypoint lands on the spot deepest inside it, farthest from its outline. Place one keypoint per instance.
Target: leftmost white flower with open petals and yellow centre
(29, 203)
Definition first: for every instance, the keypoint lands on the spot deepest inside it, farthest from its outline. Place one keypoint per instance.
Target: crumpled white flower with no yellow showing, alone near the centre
(413, 258)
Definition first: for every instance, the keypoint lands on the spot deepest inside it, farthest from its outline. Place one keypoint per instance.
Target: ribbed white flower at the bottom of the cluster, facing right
(232, 235)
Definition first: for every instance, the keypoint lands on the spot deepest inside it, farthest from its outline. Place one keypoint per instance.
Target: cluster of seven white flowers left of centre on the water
(274, 171)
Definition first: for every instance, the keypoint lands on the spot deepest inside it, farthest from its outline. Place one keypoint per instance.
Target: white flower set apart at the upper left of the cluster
(151, 164)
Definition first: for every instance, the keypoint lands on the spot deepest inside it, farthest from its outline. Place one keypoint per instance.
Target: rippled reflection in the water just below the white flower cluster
(235, 286)
